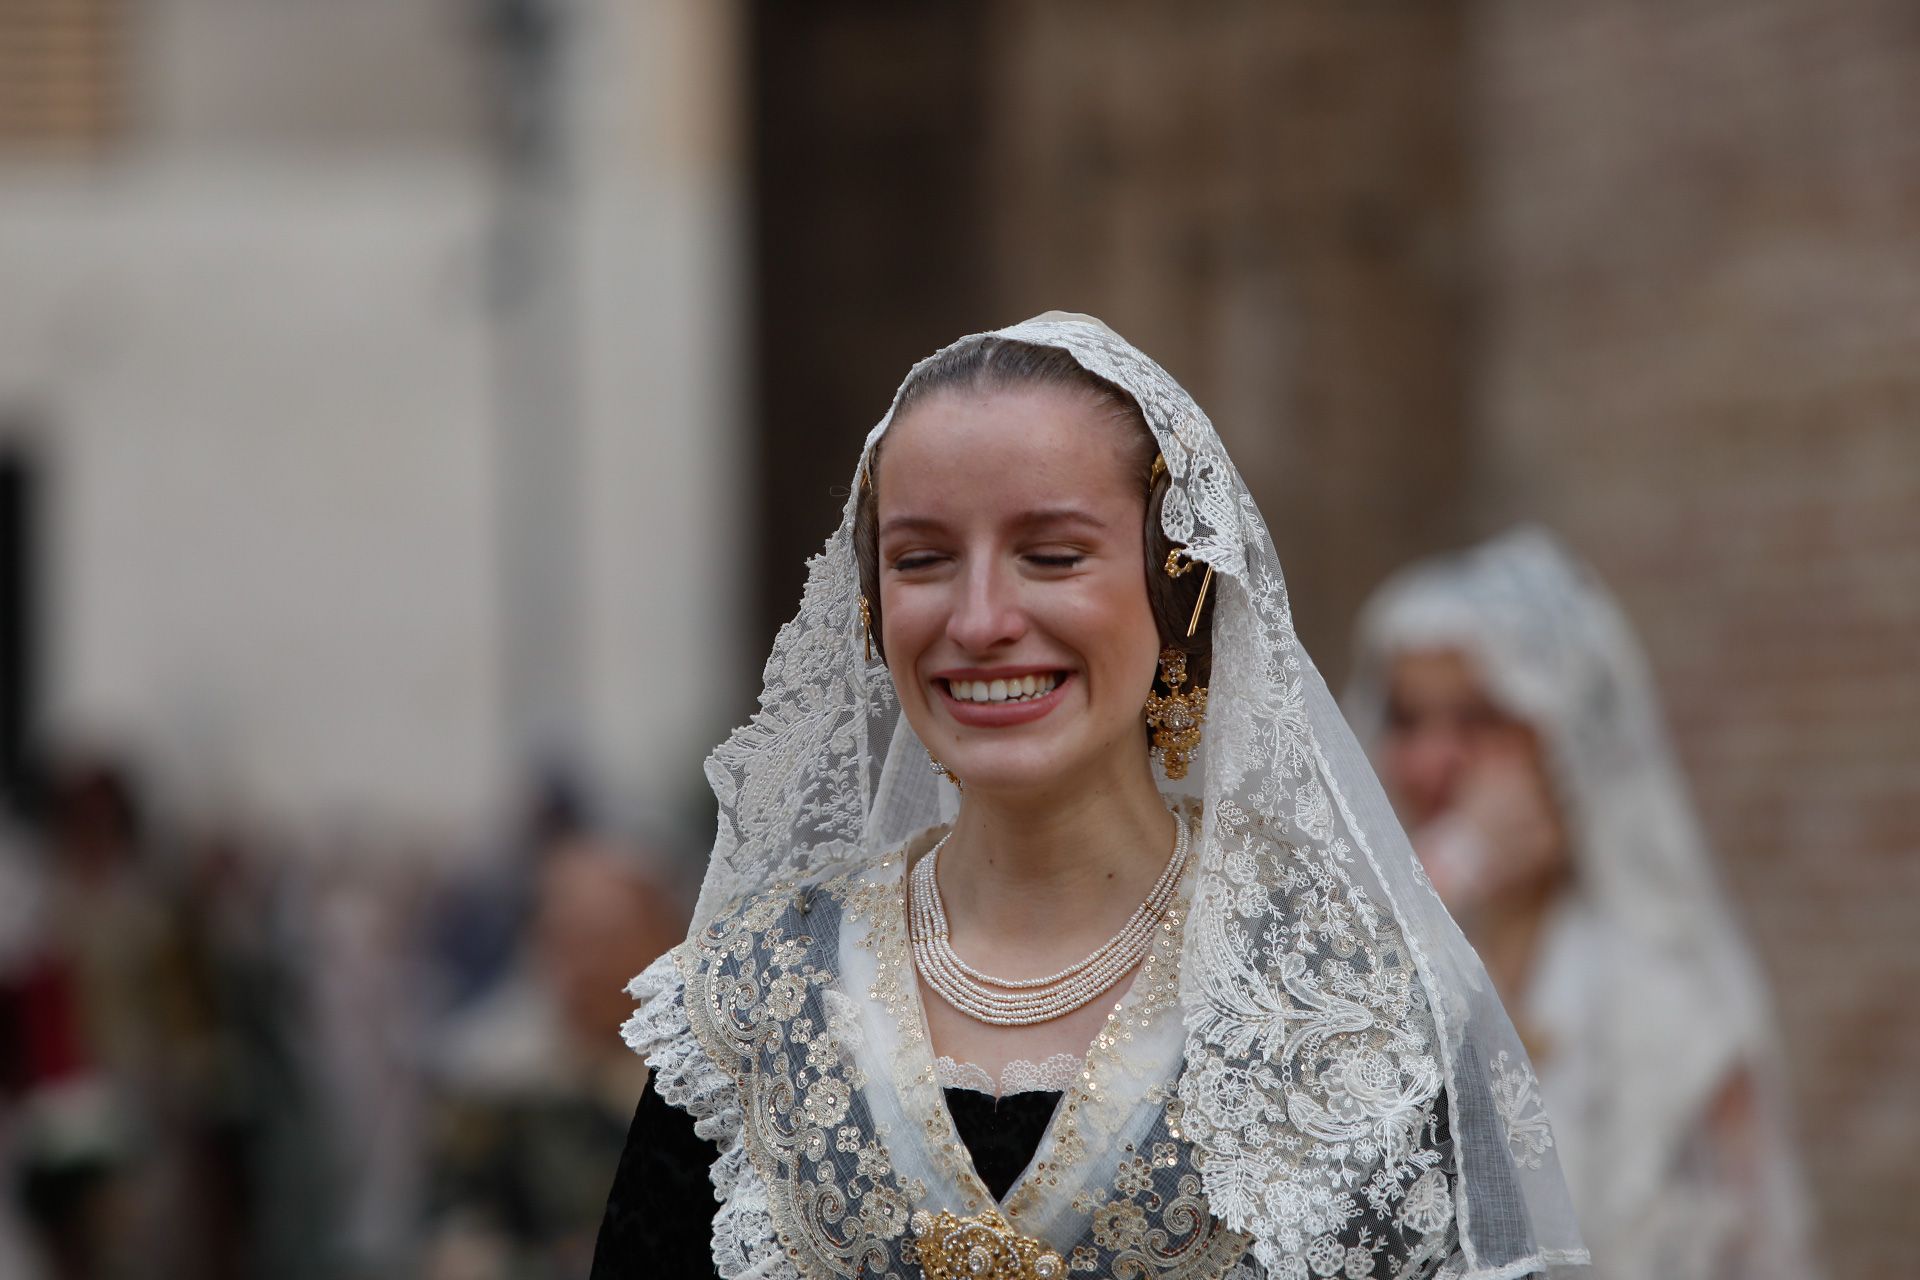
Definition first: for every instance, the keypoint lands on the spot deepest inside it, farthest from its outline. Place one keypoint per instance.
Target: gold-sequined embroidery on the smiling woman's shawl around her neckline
(763, 1001)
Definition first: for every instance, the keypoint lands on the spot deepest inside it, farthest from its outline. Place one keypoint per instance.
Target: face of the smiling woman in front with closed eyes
(1013, 586)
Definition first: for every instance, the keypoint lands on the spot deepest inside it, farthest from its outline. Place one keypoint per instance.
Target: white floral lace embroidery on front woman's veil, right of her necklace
(1335, 1049)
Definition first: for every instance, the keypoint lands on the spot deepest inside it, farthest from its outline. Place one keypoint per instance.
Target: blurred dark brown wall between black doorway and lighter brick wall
(1270, 199)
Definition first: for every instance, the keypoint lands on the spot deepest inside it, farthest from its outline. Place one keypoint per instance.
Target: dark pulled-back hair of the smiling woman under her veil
(996, 366)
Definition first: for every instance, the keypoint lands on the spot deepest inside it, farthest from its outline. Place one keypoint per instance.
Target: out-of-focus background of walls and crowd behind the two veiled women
(414, 415)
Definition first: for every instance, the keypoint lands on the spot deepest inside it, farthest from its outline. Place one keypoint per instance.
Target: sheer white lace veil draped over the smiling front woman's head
(1326, 991)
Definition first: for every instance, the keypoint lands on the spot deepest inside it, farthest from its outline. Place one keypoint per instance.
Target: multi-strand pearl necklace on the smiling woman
(1022, 1003)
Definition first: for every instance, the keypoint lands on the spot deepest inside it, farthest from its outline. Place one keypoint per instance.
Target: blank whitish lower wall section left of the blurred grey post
(262, 410)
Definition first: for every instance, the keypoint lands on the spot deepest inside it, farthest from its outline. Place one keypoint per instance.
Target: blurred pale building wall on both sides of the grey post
(252, 343)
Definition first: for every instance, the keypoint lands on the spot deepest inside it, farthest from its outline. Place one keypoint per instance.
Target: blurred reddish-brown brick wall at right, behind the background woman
(1700, 358)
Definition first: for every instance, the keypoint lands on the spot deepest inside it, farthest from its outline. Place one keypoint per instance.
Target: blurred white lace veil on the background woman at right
(1560, 655)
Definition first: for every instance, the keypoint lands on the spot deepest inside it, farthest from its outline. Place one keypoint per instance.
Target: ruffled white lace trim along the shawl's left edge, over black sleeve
(744, 1241)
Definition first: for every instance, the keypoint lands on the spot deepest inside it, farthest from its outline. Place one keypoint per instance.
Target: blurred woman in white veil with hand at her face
(1514, 723)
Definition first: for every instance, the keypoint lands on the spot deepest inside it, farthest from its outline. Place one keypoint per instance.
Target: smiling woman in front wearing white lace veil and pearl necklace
(1136, 991)
